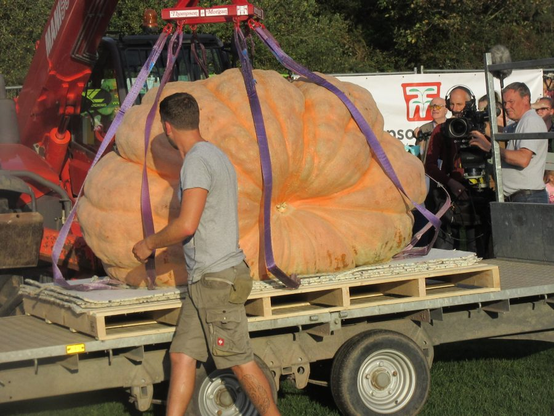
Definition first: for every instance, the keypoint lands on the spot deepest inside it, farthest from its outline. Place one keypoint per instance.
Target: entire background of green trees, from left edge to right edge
(338, 36)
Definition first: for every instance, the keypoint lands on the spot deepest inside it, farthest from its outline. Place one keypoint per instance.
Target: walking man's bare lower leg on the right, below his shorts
(253, 381)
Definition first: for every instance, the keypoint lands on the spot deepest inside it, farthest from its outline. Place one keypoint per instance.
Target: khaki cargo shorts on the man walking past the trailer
(213, 319)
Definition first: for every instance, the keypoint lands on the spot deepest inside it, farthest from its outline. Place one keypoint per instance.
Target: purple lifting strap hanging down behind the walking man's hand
(146, 207)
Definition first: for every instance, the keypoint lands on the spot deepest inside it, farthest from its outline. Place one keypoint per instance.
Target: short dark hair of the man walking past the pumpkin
(181, 111)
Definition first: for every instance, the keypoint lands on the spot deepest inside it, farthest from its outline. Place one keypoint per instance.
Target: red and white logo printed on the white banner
(418, 96)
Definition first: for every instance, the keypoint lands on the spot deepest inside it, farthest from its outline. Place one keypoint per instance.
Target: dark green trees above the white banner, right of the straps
(451, 34)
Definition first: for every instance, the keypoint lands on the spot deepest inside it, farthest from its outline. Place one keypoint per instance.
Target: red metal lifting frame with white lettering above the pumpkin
(187, 12)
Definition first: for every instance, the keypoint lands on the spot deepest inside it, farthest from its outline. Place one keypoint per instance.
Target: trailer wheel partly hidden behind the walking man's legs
(220, 393)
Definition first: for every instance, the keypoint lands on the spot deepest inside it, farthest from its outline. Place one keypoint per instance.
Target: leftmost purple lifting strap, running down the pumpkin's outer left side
(127, 103)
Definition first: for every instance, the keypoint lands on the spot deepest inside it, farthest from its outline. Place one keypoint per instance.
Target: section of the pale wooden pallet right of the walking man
(374, 291)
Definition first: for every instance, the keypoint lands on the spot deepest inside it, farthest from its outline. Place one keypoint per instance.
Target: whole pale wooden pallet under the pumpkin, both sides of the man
(314, 297)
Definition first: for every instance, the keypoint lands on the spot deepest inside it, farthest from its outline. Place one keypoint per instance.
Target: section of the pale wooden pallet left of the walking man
(110, 322)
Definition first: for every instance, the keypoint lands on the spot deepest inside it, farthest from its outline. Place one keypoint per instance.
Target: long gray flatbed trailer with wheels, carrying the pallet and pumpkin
(381, 353)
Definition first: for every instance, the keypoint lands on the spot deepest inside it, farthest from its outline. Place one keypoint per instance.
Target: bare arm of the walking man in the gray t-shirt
(182, 227)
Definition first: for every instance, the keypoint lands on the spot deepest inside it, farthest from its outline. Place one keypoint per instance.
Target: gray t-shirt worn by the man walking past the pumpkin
(215, 244)
